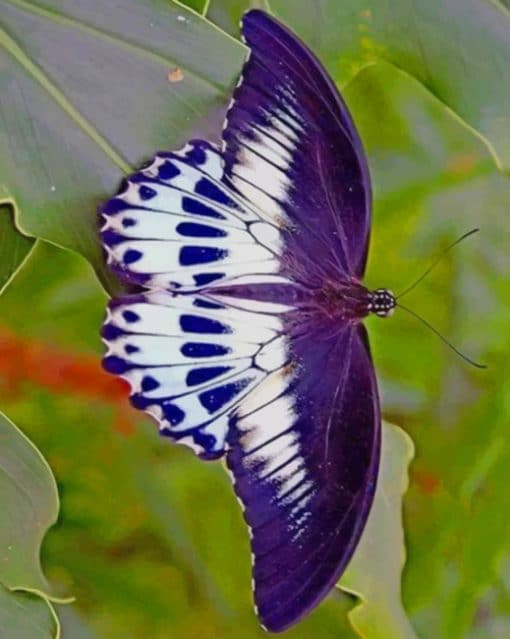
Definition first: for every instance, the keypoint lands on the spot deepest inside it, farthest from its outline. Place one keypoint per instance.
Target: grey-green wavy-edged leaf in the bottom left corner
(29, 500)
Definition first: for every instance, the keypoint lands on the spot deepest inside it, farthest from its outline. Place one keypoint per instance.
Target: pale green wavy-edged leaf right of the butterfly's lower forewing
(374, 573)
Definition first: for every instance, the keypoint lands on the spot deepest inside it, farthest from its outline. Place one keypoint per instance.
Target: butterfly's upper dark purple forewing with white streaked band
(290, 146)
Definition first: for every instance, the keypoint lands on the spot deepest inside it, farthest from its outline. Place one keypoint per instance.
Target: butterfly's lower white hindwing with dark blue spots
(191, 361)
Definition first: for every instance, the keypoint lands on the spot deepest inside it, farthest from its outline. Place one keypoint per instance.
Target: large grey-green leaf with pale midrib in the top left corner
(86, 95)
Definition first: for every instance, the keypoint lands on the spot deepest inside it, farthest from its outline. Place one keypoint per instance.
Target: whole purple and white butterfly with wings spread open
(247, 340)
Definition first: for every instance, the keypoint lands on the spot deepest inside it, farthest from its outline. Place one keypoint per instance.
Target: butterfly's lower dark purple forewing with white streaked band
(304, 454)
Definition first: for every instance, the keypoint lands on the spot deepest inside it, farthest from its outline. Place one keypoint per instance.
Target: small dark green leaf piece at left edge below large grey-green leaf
(14, 246)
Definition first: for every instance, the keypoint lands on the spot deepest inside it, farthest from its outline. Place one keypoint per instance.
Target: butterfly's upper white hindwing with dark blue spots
(177, 226)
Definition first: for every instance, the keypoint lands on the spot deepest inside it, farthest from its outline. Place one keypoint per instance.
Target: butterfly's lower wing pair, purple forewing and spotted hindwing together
(296, 411)
